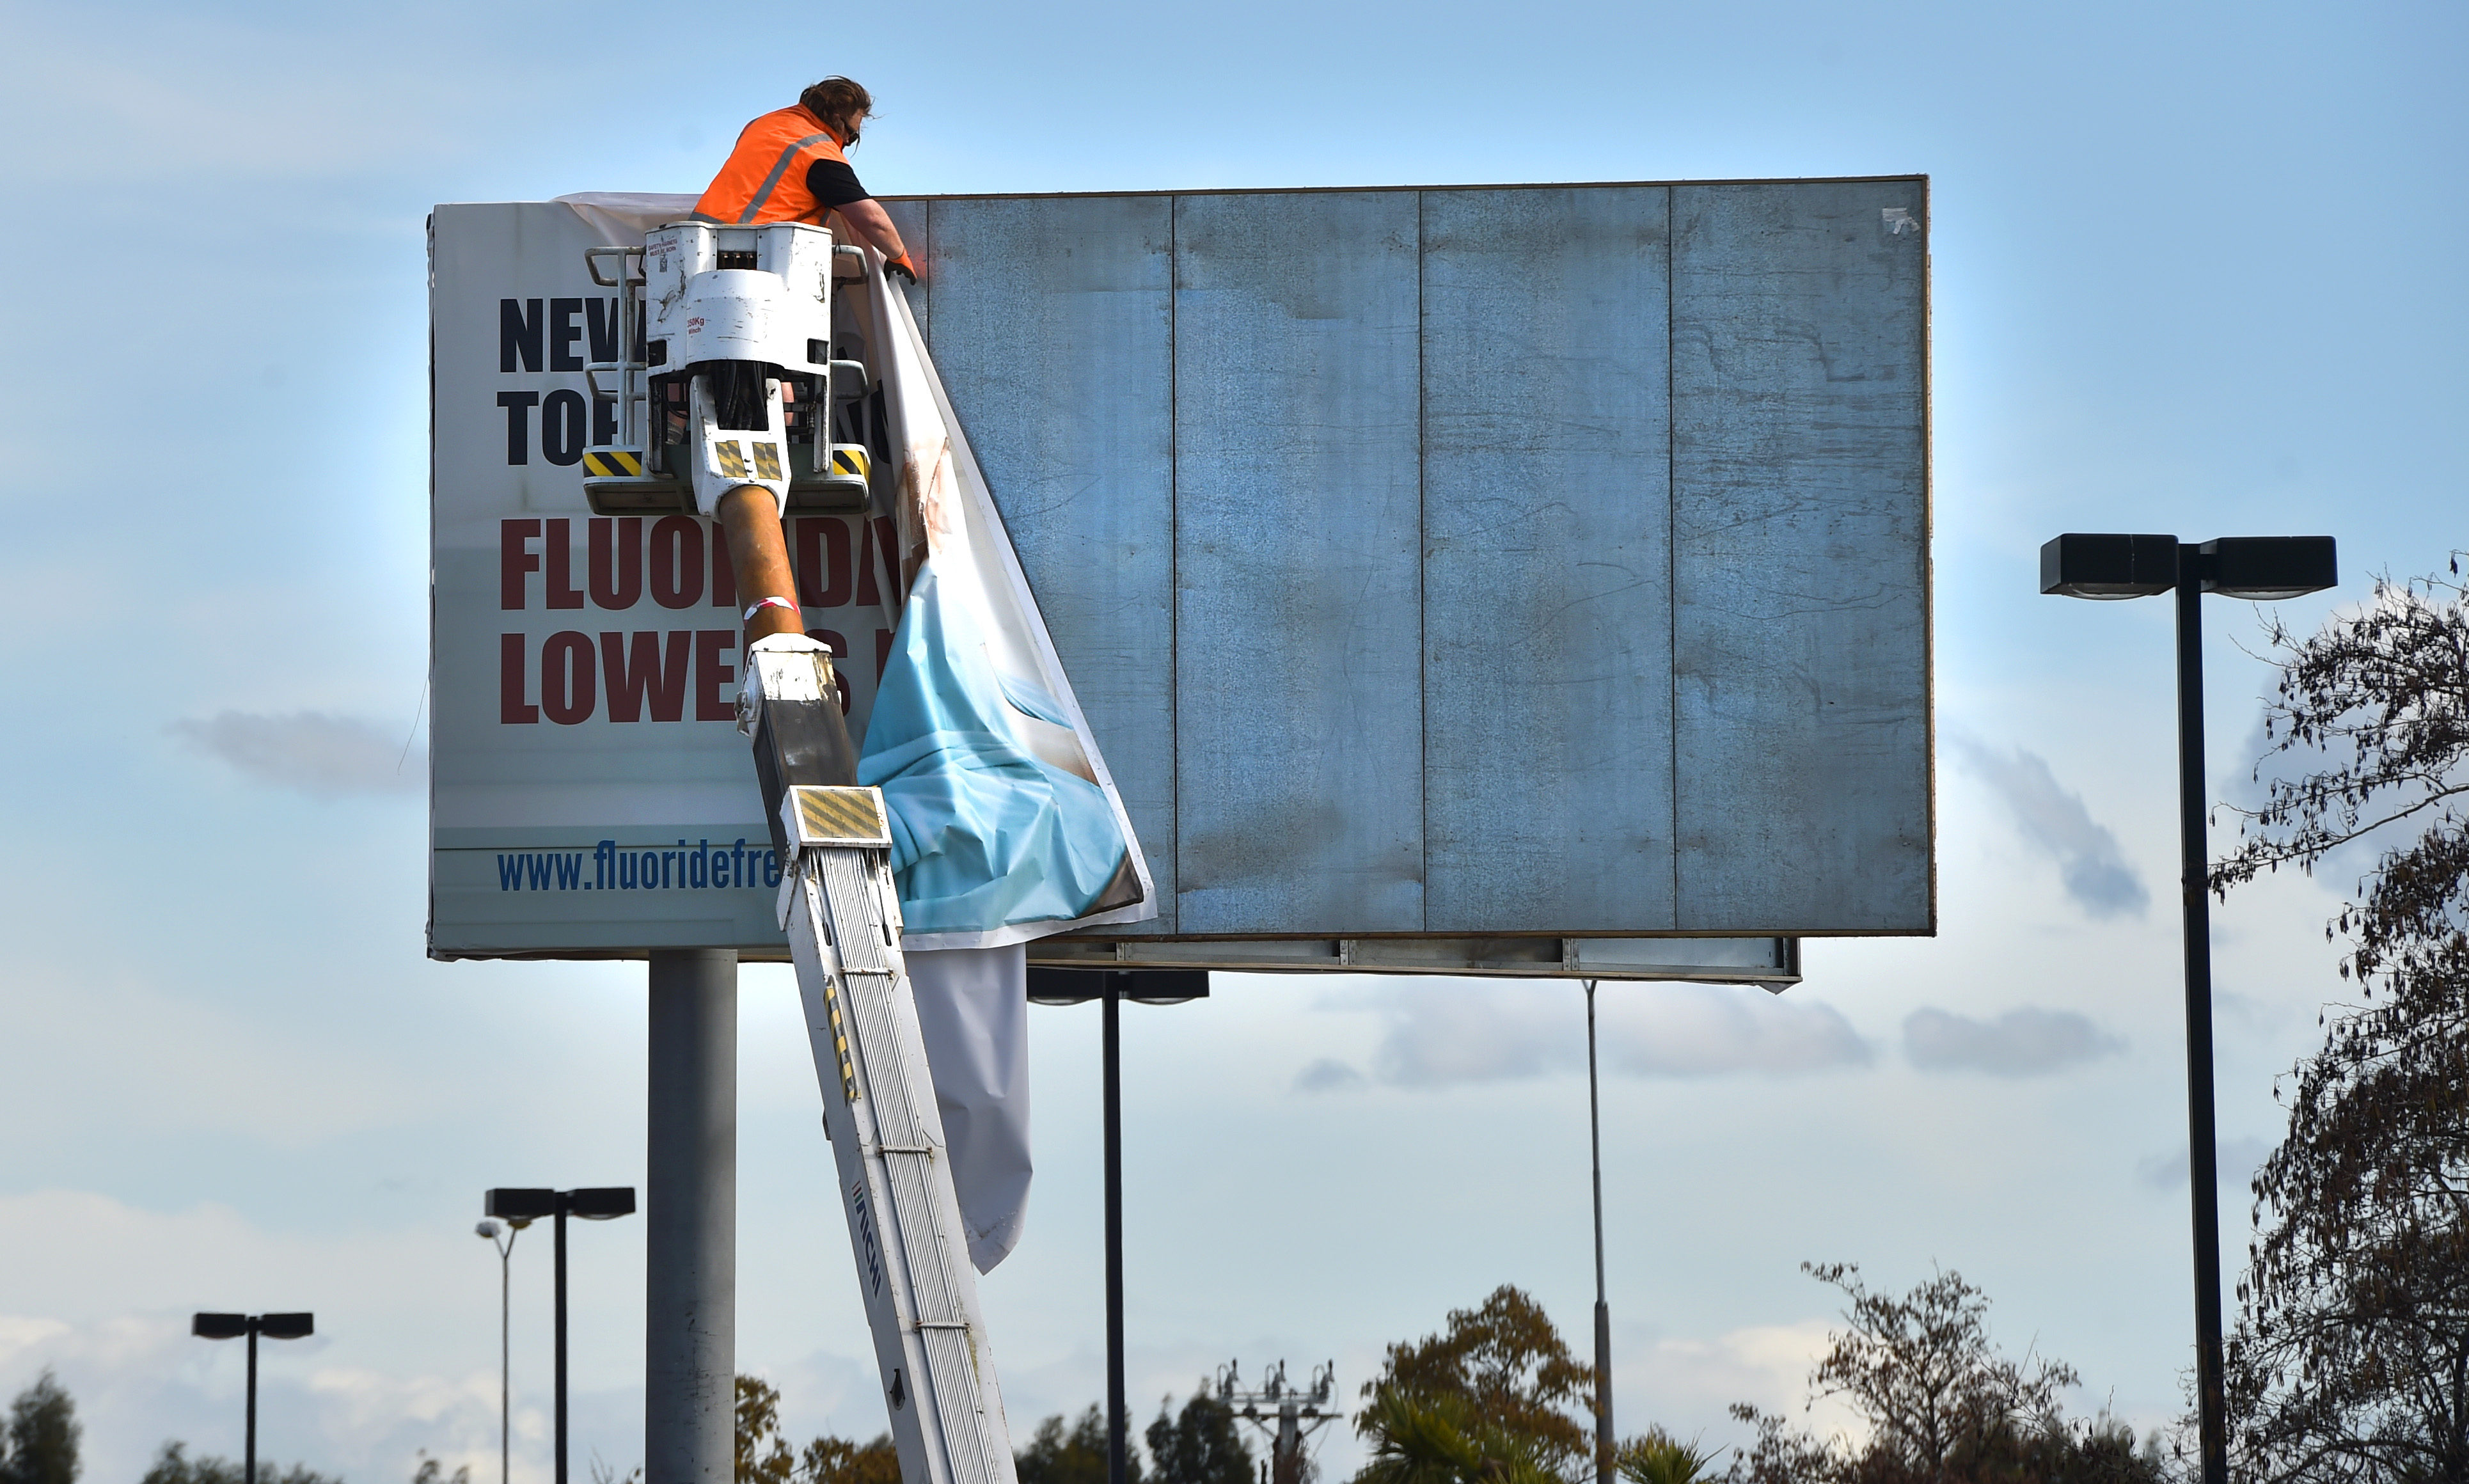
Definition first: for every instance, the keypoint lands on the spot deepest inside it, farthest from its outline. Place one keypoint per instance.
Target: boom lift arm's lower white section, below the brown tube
(843, 922)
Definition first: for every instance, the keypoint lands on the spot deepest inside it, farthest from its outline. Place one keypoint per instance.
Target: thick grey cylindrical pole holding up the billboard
(693, 1221)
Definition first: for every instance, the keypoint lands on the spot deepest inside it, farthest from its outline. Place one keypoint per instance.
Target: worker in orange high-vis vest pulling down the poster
(789, 167)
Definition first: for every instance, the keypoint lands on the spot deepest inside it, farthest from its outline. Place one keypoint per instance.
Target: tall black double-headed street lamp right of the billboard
(2236, 567)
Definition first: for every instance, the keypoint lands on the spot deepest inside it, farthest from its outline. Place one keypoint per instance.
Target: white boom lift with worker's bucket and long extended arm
(737, 332)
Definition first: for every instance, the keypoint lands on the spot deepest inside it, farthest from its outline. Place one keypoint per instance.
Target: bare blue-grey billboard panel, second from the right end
(1547, 559)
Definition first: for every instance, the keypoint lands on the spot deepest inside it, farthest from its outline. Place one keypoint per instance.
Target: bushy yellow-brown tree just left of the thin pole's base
(1500, 1379)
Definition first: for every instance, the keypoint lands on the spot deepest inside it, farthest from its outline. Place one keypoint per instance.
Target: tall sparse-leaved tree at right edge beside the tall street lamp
(2352, 1347)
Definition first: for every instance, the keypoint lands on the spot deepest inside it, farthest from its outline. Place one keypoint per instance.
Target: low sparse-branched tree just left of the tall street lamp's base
(1942, 1401)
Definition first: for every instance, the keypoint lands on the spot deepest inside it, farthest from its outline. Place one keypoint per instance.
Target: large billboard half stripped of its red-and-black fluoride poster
(1433, 564)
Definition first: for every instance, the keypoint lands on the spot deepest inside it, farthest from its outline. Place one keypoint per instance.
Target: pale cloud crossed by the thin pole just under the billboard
(1446, 1033)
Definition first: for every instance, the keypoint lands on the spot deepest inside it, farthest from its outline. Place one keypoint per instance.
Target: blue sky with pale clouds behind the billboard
(2196, 270)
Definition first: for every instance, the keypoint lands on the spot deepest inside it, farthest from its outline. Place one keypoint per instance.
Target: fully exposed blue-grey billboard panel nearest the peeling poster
(1297, 564)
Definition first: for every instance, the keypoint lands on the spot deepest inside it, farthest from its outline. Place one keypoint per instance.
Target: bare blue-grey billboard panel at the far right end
(1801, 535)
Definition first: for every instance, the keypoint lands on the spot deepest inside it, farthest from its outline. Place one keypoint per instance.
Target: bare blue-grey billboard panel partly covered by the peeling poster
(1065, 391)
